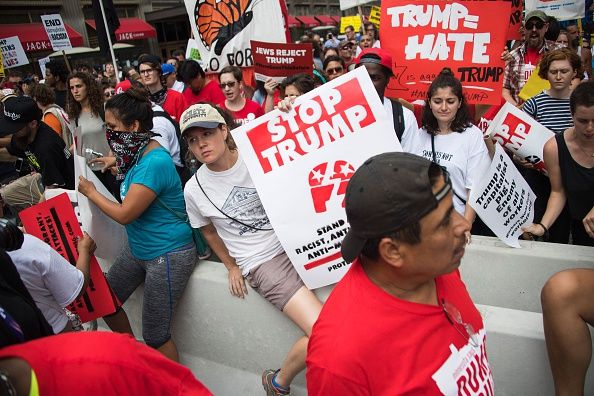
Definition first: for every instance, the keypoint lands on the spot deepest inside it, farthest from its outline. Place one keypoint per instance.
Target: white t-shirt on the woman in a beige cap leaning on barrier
(233, 192)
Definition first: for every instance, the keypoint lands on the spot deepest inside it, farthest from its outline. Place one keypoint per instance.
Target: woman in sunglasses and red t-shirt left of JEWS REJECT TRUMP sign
(243, 110)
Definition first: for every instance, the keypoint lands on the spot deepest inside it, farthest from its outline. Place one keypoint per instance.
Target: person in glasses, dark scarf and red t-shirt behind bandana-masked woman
(149, 67)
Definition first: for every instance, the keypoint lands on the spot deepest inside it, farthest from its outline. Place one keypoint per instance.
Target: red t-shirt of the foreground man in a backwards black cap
(368, 342)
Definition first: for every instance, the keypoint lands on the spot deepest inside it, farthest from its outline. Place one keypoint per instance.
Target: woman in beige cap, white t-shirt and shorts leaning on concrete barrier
(222, 201)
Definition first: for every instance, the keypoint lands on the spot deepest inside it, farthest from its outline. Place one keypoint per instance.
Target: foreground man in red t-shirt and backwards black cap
(401, 320)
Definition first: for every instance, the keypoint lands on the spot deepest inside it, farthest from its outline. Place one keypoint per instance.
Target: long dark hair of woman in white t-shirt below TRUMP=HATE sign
(462, 119)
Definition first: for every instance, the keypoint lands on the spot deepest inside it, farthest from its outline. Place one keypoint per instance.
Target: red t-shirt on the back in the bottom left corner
(103, 363)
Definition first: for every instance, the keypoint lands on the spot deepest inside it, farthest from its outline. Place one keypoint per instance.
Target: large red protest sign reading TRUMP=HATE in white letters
(426, 36)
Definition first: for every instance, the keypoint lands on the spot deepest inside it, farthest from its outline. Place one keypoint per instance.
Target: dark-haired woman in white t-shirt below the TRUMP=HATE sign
(449, 138)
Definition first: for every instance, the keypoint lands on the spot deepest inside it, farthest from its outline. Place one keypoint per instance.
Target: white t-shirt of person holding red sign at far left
(52, 281)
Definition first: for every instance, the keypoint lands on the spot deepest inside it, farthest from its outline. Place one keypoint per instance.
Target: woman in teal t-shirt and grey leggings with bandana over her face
(160, 251)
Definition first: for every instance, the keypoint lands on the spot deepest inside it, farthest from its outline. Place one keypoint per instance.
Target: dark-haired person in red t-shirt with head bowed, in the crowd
(198, 87)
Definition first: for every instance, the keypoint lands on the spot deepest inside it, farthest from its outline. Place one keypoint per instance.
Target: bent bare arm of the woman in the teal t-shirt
(137, 200)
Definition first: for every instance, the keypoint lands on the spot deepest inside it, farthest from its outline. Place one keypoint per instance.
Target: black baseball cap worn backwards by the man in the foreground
(387, 193)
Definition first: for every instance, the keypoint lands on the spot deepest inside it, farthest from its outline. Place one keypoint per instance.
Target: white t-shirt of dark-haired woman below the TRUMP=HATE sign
(462, 154)
